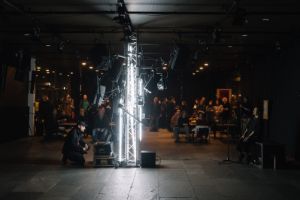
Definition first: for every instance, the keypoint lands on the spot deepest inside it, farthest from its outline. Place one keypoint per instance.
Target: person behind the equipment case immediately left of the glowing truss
(101, 125)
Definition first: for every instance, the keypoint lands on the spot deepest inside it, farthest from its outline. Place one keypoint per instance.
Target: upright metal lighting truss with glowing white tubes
(130, 115)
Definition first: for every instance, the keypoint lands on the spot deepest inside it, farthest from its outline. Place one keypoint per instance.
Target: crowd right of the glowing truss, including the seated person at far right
(166, 113)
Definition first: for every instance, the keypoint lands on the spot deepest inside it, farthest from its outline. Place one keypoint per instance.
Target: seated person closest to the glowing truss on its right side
(180, 123)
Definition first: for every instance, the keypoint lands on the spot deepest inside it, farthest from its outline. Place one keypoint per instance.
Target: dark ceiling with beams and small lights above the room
(60, 33)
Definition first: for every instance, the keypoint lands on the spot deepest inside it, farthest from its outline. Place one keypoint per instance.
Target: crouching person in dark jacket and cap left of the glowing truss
(74, 146)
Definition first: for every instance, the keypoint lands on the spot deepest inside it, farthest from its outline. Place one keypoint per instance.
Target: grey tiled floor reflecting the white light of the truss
(31, 169)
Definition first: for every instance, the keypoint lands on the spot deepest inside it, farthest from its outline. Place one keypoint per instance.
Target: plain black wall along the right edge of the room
(285, 116)
